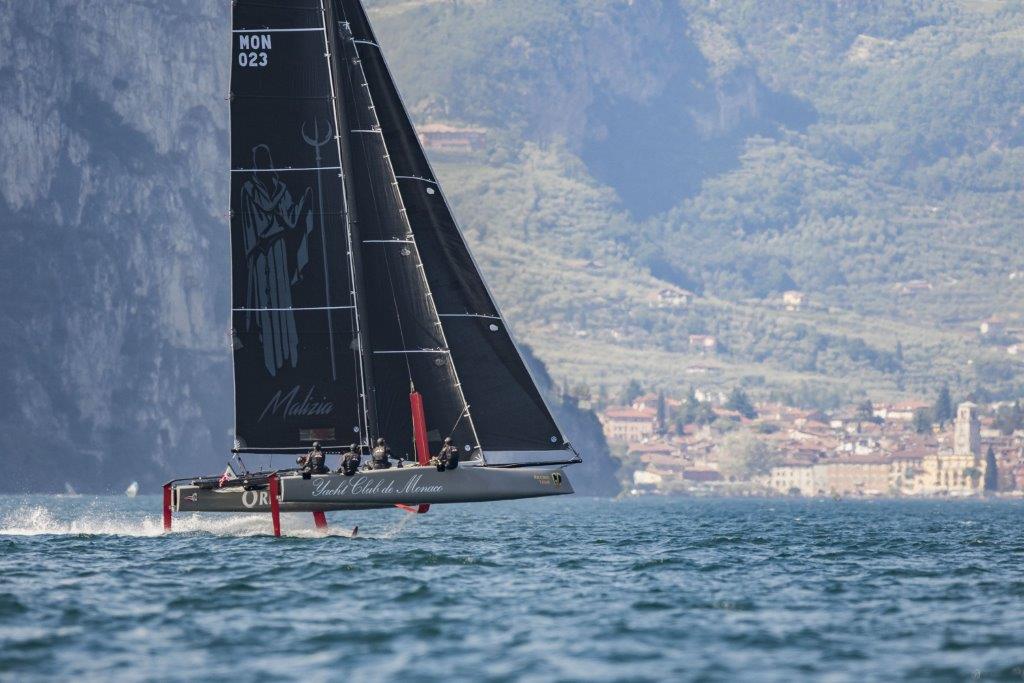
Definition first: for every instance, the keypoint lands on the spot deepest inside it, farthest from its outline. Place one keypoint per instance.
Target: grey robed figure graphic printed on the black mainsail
(276, 232)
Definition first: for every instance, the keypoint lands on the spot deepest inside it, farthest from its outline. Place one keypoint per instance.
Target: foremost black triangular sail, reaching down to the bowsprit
(511, 420)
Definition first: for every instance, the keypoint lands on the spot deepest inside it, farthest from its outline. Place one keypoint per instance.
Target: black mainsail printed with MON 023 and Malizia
(297, 361)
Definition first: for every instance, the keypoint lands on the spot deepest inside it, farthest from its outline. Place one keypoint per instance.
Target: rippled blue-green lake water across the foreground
(543, 591)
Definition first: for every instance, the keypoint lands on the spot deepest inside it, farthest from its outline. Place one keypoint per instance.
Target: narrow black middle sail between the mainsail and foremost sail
(408, 346)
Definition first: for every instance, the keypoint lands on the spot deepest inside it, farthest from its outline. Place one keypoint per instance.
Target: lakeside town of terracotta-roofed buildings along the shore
(840, 455)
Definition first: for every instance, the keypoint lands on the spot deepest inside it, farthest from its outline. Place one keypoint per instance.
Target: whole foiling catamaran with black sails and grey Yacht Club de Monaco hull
(358, 310)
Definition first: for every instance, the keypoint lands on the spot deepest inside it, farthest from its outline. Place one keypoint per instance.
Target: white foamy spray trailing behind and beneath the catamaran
(39, 521)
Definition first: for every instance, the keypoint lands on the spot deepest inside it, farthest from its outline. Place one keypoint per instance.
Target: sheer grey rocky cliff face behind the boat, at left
(114, 203)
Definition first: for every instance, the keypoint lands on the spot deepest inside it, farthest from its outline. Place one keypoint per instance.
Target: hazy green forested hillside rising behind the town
(869, 155)
